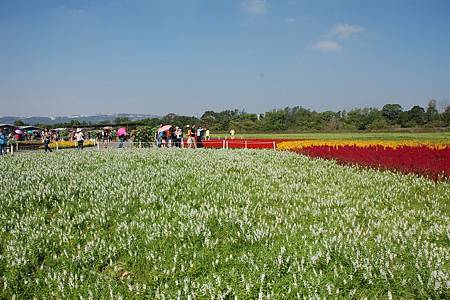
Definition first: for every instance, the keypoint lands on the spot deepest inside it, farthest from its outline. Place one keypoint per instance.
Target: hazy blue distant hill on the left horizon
(82, 118)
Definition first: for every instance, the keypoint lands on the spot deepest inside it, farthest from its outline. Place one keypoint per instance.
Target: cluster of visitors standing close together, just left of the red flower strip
(170, 136)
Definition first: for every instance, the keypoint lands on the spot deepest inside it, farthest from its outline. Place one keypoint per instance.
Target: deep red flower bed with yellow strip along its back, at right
(423, 158)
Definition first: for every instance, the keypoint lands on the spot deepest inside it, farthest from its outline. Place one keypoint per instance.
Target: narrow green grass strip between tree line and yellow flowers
(438, 137)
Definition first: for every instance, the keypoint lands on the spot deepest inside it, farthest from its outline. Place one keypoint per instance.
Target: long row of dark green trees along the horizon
(298, 118)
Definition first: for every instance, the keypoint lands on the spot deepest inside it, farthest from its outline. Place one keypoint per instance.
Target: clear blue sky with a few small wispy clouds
(188, 56)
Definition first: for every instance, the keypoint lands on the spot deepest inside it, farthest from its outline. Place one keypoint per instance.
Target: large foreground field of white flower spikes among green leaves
(168, 223)
